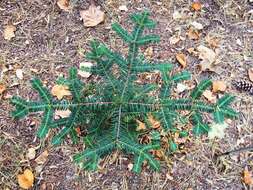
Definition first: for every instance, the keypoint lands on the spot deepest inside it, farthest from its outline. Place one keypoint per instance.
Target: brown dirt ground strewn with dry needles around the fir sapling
(48, 41)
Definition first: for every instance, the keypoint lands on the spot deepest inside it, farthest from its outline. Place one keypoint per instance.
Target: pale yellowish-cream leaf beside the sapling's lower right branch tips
(217, 130)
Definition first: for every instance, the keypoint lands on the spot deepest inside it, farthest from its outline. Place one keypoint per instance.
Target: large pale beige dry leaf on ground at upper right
(208, 57)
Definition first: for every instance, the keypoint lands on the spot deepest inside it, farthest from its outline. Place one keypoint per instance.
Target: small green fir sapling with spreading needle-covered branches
(107, 112)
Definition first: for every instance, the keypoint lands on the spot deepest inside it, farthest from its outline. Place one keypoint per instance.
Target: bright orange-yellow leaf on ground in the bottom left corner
(26, 179)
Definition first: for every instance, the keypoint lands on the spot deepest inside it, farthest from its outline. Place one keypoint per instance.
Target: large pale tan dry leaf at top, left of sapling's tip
(93, 16)
